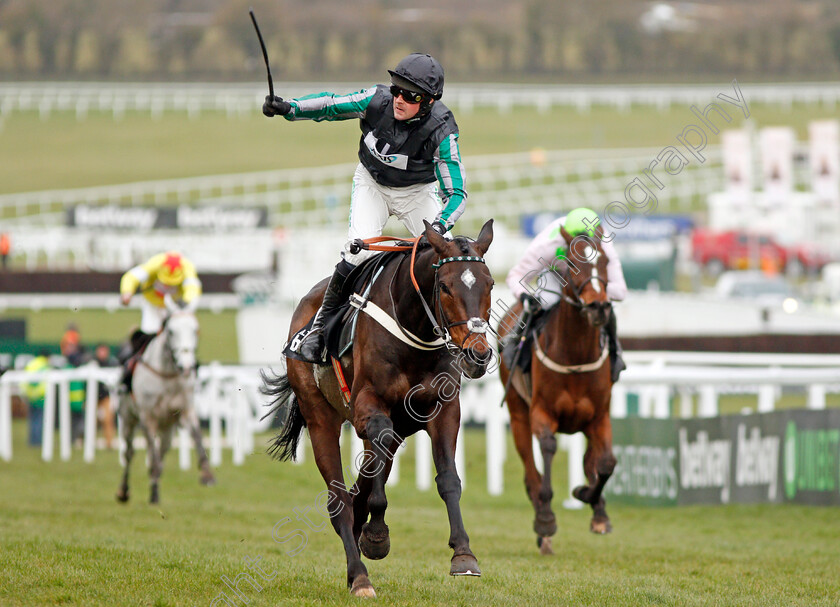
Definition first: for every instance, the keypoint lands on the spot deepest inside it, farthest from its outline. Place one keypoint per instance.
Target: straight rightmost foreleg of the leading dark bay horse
(443, 431)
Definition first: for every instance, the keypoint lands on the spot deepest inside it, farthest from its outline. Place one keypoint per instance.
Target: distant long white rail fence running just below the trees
(156, 99)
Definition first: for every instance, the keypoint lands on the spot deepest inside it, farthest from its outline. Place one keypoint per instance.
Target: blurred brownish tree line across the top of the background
(563, 40)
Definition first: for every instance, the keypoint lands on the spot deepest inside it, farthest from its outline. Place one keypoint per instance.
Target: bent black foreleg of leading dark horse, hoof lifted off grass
(374, 539)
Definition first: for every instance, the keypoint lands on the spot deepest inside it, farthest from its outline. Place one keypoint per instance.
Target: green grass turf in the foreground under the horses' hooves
(66, 541)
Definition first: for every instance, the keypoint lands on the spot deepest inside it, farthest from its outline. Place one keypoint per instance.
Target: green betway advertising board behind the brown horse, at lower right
(783, 456)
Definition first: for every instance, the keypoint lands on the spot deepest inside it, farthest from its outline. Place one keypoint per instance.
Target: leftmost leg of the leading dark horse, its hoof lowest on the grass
(325, 445)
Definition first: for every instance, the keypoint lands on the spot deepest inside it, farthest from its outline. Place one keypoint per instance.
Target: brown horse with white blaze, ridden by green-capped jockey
(568, 388)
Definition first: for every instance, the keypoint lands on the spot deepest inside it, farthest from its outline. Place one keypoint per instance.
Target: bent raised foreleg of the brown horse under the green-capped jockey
(598, 465)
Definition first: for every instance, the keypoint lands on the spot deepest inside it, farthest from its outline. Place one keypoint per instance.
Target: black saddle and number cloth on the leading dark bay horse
(340, 325)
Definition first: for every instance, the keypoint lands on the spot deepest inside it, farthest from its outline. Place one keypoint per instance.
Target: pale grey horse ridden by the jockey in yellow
(161, 398)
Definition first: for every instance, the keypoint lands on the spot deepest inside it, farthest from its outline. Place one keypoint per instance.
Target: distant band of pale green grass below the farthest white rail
(60, 152)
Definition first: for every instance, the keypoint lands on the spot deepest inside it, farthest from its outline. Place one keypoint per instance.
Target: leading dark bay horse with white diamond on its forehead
(424, 323)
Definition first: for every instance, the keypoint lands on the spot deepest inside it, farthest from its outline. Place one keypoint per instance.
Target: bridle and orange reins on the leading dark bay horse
(442, 332)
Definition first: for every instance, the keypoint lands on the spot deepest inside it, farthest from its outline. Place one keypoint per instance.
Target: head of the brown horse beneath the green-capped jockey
(586, 276)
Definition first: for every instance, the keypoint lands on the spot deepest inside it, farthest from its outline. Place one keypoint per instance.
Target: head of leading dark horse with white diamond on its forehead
(462, 296)
